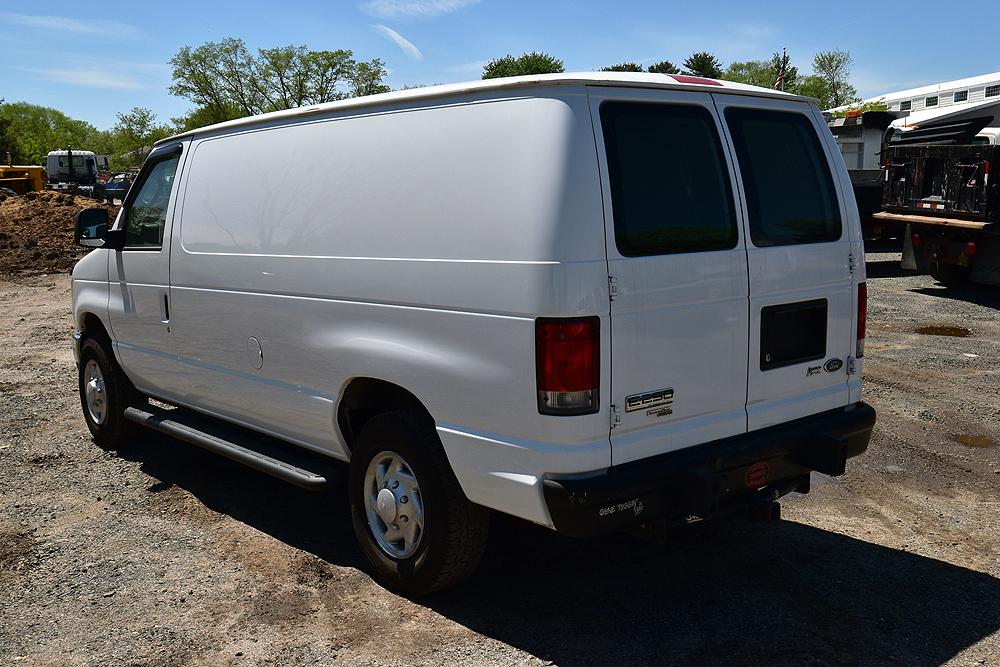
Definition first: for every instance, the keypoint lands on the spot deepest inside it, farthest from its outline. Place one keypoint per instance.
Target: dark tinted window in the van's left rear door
(670, 188)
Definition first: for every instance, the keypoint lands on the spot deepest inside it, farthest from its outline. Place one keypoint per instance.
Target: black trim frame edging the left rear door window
(727, 172)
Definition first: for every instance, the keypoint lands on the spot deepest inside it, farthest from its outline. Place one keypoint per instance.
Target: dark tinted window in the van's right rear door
(789, 187)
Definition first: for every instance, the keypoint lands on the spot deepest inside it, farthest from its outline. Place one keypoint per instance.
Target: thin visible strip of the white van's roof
(414, 95)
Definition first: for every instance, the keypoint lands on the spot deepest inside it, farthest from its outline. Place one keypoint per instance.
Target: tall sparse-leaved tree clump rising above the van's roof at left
(226, 78)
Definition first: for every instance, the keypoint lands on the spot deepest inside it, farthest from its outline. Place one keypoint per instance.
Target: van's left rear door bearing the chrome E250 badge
(679, 309)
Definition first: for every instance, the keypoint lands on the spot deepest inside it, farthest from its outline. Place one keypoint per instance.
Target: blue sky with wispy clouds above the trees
(92, 60)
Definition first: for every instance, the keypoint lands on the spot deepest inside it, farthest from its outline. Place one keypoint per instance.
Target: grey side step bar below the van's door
(260, 452)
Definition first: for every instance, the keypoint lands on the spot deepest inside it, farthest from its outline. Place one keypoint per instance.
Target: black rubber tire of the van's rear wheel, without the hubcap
(455, 530)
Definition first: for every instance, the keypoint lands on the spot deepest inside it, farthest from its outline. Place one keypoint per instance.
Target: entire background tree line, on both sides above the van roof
(226, 80)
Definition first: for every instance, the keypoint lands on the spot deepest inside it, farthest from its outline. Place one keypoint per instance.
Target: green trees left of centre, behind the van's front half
(224, 80)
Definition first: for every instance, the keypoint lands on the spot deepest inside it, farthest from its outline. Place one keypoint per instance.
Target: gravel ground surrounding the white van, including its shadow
(161, 554)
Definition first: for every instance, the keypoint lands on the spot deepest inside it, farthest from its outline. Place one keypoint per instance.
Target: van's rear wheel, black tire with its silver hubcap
(416, 528)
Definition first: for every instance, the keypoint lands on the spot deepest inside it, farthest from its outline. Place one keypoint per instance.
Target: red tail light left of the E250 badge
(568, 365)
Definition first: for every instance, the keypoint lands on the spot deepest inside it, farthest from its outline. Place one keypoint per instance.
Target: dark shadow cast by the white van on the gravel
(729, 592)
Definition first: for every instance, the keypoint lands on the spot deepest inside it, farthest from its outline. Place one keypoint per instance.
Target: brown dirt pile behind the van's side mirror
(36, 231)
